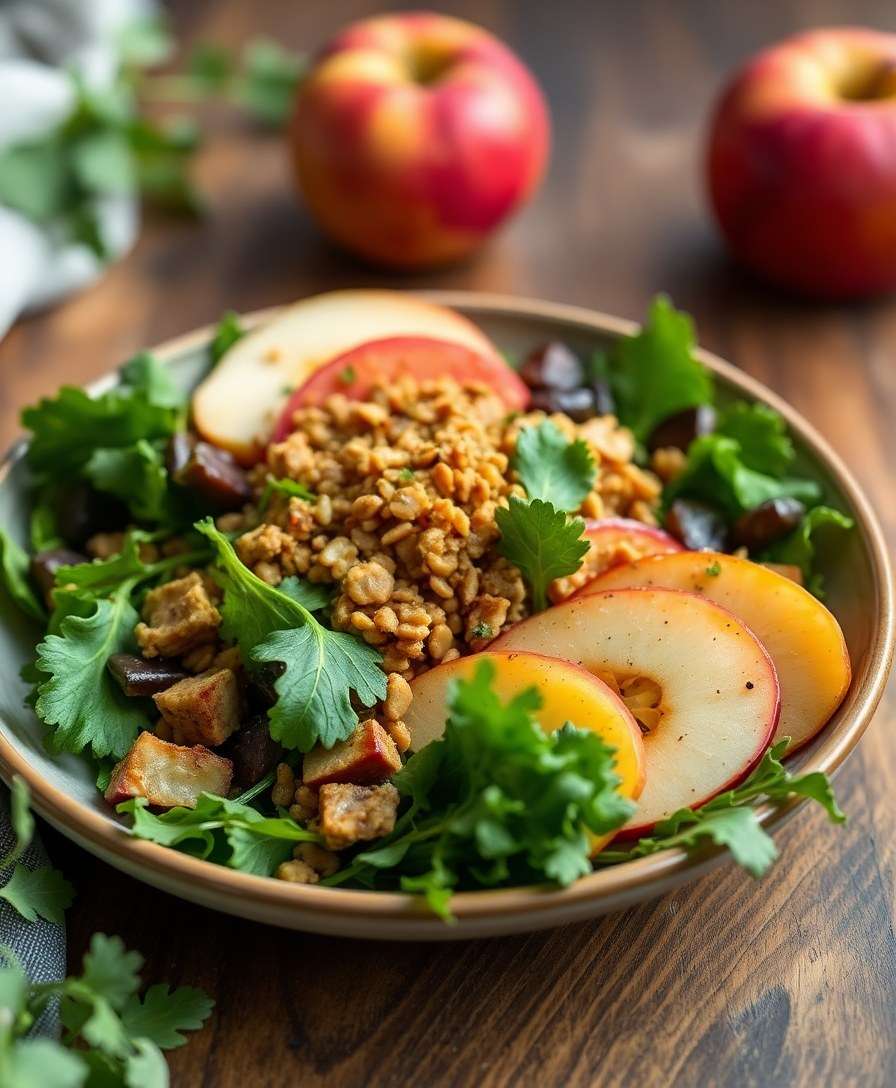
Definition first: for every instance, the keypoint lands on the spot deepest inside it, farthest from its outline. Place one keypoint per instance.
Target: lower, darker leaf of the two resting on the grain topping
(542, 542)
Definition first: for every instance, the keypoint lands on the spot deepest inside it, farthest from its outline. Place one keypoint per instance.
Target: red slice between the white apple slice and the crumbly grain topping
(356, 373)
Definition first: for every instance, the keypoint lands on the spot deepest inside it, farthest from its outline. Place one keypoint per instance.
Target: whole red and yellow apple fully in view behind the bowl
(415, 137)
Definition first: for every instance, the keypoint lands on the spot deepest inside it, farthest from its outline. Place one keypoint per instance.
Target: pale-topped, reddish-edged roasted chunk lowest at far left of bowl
(168, 775)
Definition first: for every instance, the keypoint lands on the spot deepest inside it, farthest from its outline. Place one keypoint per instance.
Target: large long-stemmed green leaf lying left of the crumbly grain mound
(323, 667)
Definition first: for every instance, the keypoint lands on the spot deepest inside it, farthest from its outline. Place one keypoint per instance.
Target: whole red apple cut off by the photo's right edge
(802, 164)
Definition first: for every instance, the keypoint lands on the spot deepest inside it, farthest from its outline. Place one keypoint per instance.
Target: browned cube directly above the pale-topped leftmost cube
(202, 710)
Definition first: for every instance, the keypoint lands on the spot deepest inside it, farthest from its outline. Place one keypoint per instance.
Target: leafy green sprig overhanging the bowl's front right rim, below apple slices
(731, 821)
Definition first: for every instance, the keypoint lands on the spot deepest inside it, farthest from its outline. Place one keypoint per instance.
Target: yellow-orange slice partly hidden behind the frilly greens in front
(569, 695)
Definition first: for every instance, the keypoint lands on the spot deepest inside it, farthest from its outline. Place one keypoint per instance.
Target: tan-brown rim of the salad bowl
(245, 894)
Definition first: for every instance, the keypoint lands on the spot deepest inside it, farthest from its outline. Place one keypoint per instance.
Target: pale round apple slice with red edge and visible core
(716, 687)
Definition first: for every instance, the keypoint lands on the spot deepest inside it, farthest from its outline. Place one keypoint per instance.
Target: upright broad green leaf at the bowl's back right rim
(655, 374)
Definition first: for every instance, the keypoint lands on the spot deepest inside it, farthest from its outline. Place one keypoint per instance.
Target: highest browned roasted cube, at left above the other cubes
(179, 616)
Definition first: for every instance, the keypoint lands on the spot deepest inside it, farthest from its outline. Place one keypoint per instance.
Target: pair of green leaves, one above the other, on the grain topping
(537, 535)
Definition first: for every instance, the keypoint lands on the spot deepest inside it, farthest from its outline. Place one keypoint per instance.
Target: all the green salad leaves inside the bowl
(495, 802)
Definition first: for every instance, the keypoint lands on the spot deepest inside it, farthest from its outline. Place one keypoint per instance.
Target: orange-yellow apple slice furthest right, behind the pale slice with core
(804, 639)
